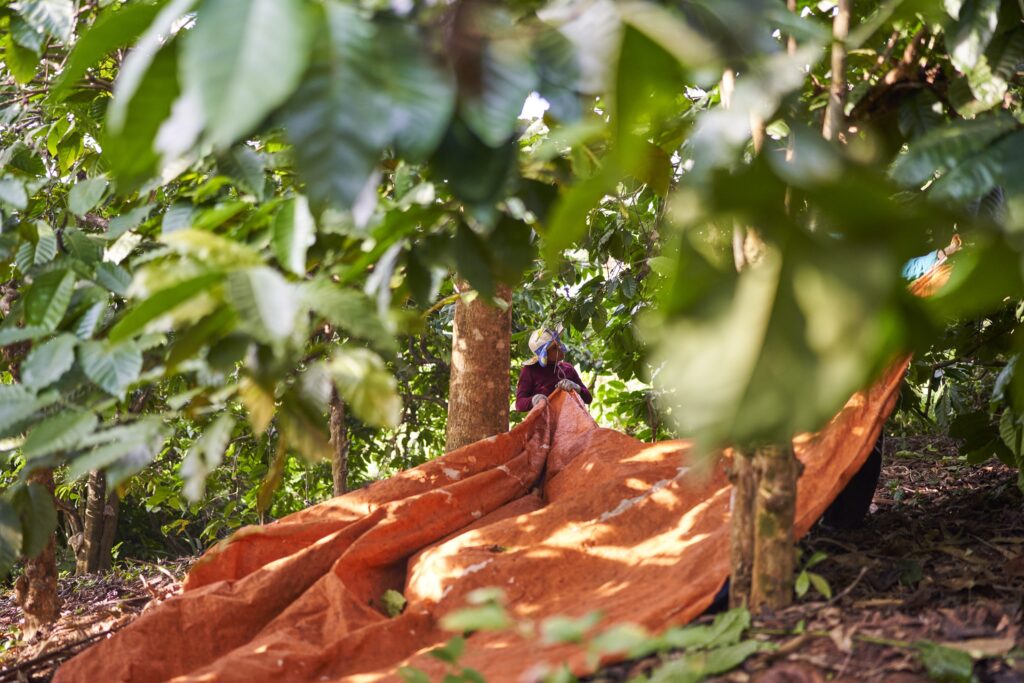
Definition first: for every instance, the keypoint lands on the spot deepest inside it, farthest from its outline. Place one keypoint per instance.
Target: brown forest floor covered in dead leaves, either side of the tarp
(942, 560)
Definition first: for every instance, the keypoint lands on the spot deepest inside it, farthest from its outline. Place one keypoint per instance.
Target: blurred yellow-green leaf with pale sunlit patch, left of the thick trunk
(365, 385)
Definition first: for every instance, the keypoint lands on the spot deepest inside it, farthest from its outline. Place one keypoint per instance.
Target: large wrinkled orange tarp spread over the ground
(564, 517)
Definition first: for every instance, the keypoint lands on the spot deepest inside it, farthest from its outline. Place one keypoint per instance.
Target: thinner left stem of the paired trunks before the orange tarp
(742, 529)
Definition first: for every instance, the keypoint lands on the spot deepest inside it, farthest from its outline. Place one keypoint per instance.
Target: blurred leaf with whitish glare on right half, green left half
(268, 305)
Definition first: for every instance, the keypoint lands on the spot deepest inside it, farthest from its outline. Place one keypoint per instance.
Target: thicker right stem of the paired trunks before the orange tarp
(777, 469)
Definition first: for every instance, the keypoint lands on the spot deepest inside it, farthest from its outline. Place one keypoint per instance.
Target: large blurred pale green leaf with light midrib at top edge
(244, 59)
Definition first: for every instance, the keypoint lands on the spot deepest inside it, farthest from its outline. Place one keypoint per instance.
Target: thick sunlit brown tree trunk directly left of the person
(479, 390)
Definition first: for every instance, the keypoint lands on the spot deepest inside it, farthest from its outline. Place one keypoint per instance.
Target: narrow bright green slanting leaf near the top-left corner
(112, 30)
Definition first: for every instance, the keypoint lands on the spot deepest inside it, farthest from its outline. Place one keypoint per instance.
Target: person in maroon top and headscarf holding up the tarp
(547, 371)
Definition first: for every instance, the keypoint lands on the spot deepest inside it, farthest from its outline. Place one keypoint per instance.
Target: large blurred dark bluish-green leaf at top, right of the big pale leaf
(372, 84)
